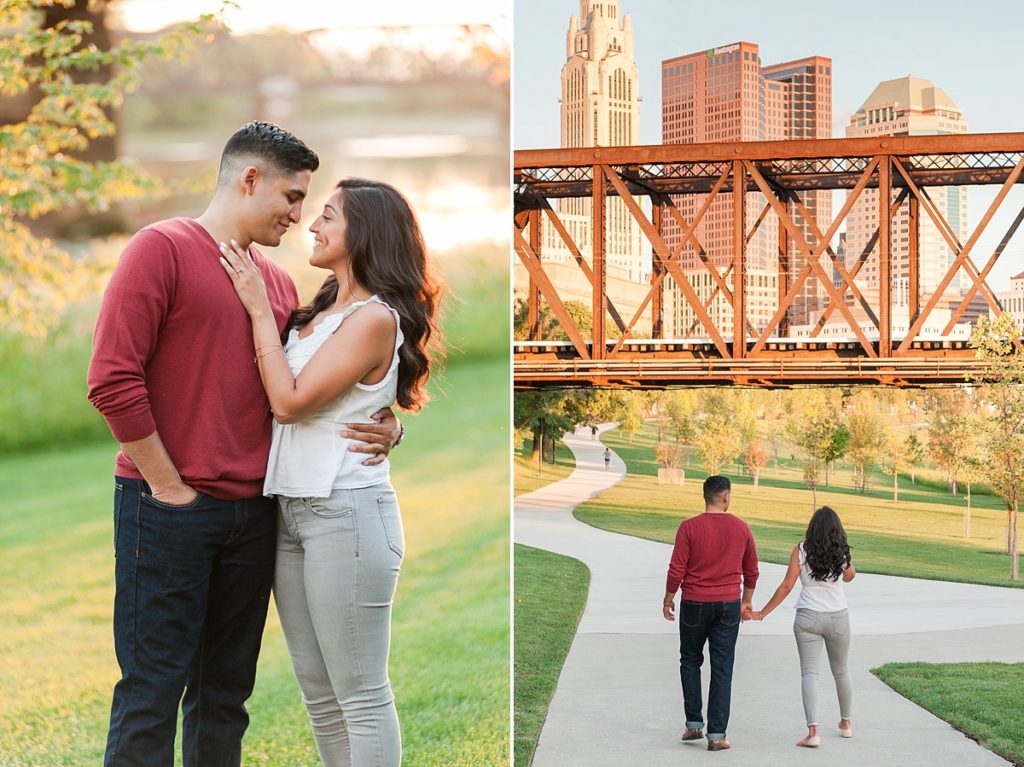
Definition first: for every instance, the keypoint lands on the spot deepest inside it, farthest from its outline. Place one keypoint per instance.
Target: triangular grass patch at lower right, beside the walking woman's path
(983, 701)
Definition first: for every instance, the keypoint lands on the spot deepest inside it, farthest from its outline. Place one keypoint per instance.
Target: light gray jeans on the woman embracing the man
(338, 562)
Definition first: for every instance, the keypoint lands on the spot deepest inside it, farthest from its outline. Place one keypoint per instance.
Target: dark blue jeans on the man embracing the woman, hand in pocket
(193, 588)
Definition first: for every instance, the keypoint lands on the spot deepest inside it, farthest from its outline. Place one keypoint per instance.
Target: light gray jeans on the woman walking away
(813, 630)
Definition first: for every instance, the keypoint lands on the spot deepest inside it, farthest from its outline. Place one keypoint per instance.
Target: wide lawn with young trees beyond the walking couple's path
(920, 537)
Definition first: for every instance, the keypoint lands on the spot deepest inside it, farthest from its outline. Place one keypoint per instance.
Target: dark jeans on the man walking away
(716, 624)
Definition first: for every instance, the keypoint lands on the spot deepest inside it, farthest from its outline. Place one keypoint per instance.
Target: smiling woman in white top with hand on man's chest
(362, 345)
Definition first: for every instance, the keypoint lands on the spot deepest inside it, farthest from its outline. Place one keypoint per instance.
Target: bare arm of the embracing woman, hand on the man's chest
(365, 345)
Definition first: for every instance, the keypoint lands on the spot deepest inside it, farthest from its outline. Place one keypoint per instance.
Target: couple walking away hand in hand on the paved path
(714, 555)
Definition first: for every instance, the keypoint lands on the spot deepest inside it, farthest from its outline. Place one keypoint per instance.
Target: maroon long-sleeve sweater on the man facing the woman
(174, 354)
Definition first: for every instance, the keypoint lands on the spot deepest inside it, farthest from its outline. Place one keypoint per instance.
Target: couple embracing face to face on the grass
(245, 423)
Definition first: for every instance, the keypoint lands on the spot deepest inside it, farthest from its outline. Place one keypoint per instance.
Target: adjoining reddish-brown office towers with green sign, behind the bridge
(726, 95)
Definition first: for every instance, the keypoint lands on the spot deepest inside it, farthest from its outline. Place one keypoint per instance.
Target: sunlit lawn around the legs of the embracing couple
(450, 659)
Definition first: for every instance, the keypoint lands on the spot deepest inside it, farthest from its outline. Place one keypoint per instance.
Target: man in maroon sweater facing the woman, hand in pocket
(174, 374)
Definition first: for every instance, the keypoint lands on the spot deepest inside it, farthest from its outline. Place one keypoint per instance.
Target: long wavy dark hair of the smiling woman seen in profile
(389, 258)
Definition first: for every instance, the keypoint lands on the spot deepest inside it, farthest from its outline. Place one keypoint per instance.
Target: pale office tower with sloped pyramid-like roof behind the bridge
(908, 107)
